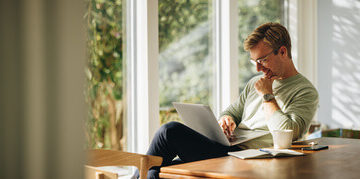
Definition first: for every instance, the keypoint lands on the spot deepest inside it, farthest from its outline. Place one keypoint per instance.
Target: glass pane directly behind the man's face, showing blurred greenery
(251, 15)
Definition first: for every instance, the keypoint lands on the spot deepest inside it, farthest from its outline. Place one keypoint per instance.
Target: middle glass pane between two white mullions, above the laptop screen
(185, 62)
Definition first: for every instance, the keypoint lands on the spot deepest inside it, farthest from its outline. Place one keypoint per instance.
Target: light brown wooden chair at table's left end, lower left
(100, 158)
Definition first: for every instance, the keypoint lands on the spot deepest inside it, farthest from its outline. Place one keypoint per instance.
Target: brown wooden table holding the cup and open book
(340, 161)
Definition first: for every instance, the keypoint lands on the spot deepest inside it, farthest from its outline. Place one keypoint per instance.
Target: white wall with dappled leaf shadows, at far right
(339, 63)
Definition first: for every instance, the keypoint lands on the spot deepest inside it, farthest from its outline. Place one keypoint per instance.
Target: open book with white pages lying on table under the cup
(264, 153)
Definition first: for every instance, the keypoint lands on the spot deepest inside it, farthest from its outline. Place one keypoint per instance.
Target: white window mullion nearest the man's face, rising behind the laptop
(226, 53)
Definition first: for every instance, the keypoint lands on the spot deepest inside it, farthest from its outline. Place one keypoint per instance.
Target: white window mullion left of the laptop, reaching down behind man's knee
(143, 73)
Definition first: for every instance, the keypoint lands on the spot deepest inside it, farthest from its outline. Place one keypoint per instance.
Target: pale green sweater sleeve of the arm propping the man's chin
(297, 115)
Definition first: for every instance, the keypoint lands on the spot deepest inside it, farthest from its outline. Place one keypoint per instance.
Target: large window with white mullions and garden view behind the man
(186, 61)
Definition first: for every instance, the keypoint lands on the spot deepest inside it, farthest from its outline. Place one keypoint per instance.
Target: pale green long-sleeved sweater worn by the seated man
(297, 99)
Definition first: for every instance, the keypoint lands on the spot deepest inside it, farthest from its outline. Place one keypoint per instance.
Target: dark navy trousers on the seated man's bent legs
(175, 139)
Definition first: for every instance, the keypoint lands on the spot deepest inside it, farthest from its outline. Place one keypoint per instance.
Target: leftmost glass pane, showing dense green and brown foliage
(105, 75)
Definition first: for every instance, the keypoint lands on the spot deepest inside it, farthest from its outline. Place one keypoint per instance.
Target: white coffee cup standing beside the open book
(282, 138)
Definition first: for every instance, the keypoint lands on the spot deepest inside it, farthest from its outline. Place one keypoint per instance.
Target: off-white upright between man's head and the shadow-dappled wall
(303, 33)
